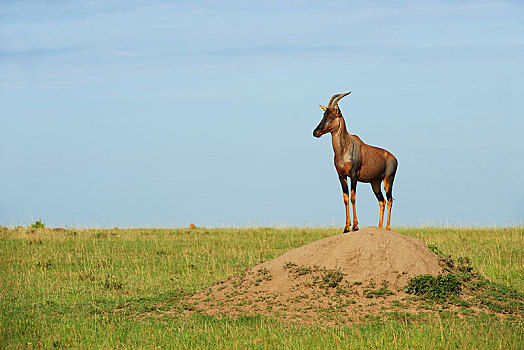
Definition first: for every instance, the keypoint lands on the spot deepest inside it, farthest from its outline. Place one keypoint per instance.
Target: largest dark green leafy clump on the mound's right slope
(434, 287)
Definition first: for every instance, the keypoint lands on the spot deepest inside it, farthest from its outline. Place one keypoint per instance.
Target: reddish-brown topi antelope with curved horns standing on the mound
(357, 160)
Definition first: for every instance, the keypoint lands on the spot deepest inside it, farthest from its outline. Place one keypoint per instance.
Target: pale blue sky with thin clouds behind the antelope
(159, 113)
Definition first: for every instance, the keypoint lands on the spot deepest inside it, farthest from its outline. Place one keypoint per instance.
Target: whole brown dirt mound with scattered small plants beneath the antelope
(339, 274)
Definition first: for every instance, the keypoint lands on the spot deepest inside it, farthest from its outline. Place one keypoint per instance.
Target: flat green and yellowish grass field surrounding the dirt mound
(97, 288)
